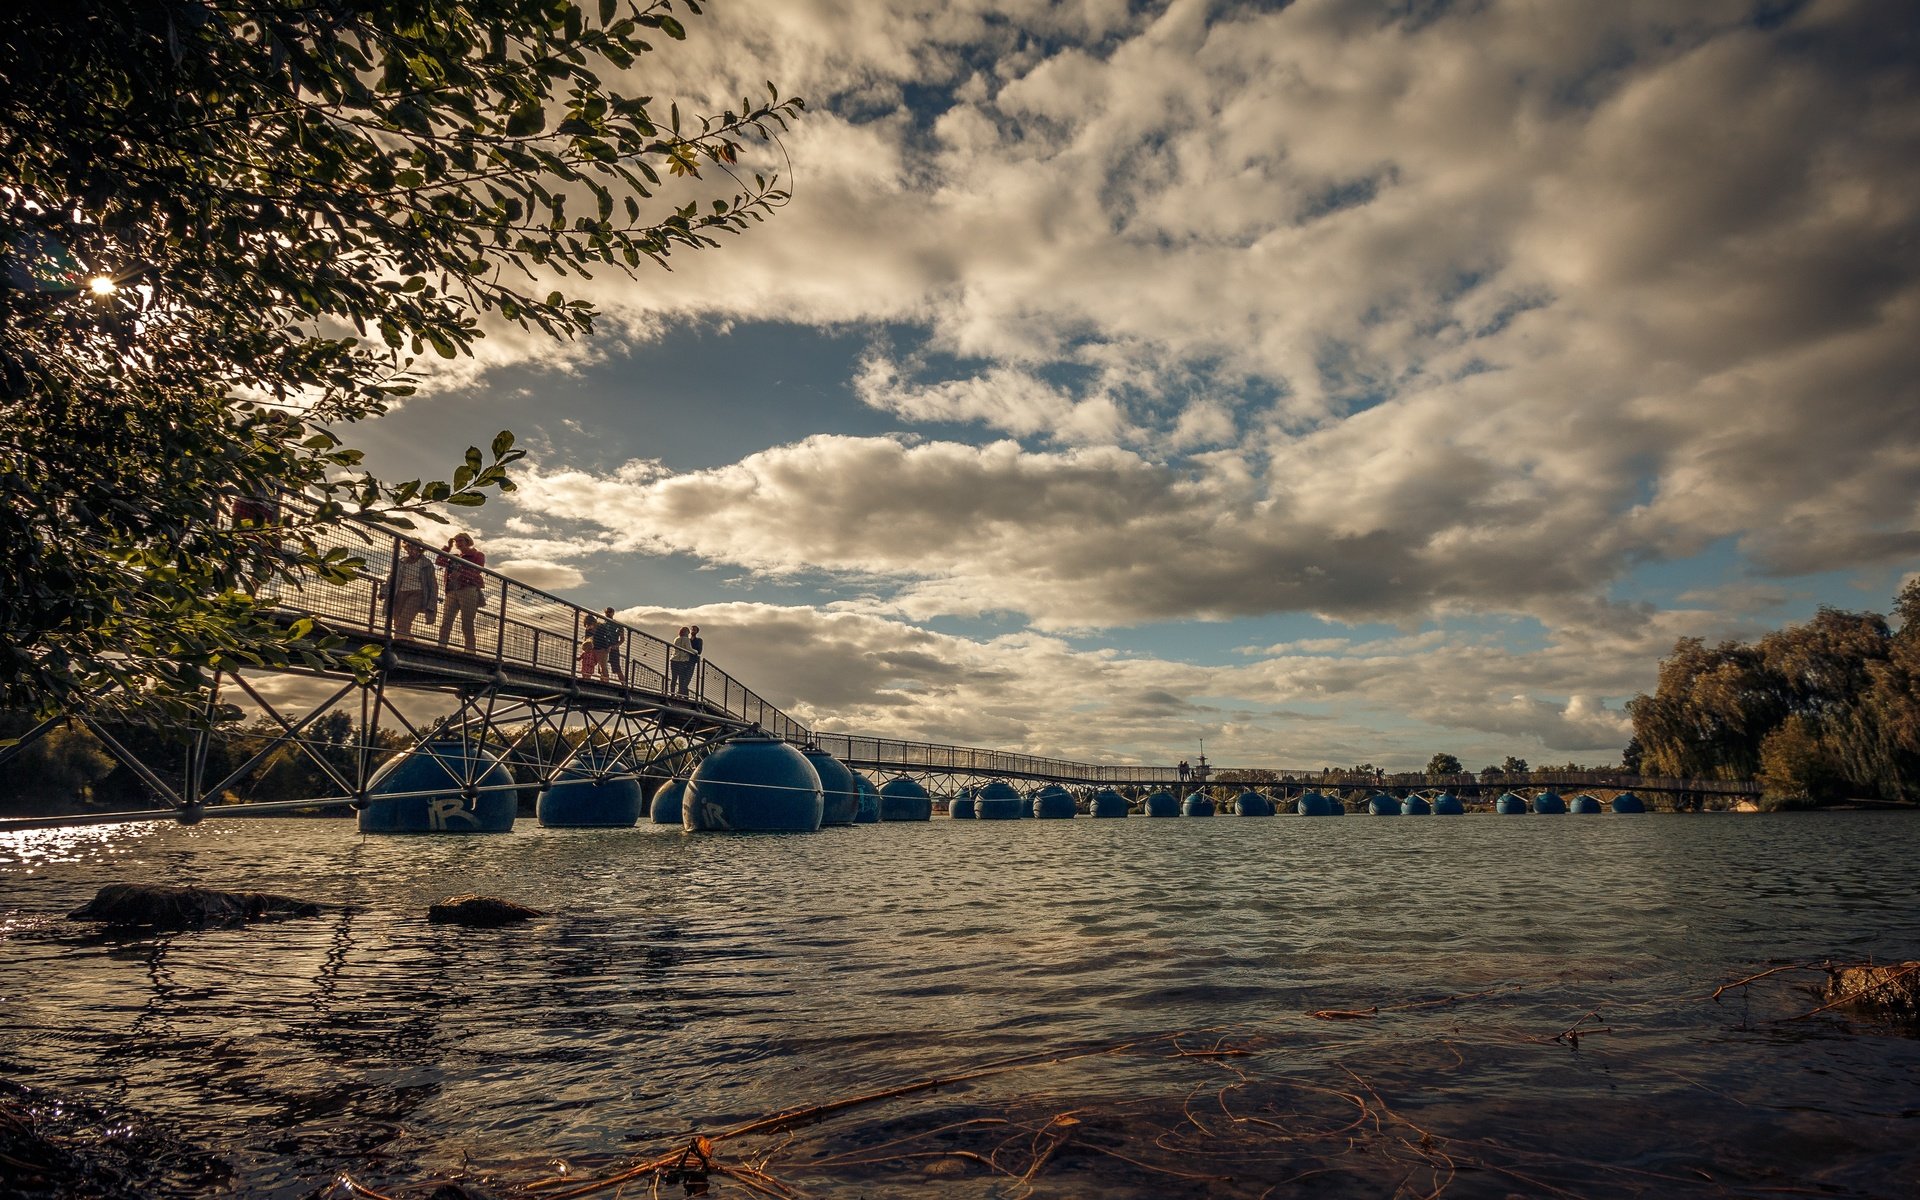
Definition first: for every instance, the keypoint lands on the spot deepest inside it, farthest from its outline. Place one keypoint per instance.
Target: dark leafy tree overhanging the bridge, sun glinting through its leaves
(231, 228)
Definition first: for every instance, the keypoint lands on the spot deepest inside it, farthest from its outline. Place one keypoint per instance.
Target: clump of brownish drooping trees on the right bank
(1815, 713)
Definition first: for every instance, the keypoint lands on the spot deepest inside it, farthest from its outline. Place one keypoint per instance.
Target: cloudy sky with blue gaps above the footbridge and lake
(1312, 385)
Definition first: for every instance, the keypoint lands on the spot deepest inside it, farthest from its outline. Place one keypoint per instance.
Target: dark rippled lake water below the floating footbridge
(1147, 986)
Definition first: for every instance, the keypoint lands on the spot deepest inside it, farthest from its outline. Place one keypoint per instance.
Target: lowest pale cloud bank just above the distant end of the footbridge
(882, 677)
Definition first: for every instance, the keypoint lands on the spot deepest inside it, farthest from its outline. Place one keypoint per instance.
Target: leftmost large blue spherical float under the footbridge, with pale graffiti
(448, 777)
